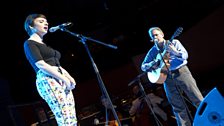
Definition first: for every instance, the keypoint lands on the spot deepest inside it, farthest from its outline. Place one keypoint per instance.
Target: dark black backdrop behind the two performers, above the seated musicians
(122, 23)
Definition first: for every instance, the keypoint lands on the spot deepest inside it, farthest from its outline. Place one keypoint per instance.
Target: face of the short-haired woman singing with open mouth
(40, 26)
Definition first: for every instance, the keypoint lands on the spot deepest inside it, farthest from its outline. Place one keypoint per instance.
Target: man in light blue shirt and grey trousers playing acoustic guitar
(168, 59)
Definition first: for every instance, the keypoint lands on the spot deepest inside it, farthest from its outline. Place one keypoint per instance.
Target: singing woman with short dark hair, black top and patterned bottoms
(54, 83)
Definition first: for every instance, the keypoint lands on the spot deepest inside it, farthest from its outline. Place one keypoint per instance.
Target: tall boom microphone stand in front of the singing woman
(101, 84)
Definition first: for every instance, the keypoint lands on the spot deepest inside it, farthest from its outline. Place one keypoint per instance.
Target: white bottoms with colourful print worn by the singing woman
(59, 99)
